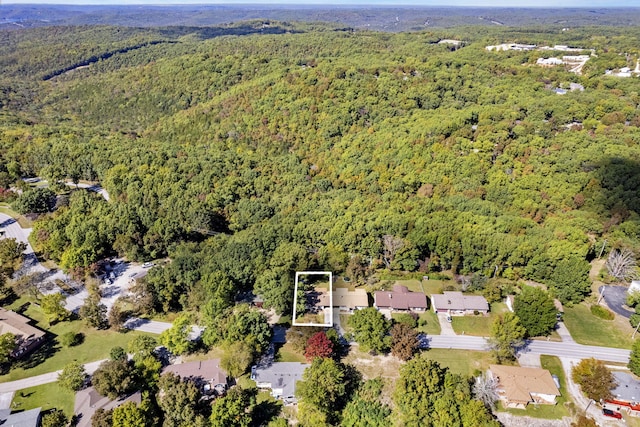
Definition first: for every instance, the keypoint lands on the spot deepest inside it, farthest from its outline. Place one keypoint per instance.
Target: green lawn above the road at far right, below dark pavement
(588, 329)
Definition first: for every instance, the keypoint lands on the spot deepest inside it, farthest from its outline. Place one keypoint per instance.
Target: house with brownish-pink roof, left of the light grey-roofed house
(207, 375)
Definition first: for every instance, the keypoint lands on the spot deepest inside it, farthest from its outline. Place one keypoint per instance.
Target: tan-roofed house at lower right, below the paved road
(517, 387)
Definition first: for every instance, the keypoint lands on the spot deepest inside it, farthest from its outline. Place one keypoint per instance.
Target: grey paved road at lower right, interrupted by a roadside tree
(560, 349)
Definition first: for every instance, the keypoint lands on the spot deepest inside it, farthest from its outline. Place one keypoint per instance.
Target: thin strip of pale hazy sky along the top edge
(488, 3)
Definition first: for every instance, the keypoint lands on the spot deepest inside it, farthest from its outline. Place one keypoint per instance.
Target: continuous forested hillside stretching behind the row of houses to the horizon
(253, 151)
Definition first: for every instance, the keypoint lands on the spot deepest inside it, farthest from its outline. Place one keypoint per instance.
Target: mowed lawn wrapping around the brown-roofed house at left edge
(51, 357)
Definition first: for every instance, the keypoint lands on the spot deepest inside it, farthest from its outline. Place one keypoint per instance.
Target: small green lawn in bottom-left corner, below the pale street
(47, 396)
